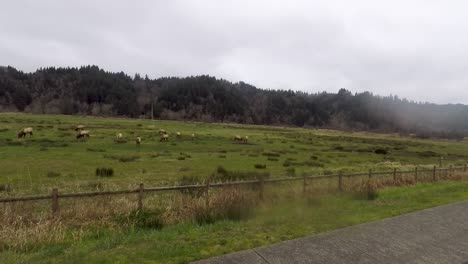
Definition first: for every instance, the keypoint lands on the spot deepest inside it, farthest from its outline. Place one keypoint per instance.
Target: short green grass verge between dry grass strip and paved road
(270, 223)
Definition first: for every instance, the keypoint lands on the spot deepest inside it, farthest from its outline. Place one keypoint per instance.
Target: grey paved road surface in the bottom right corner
(435, 235)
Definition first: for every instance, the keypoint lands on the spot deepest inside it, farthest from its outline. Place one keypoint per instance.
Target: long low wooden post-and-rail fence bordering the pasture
(416, 174)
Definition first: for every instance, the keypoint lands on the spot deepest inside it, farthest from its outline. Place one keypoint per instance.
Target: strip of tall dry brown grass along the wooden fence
(26, 224)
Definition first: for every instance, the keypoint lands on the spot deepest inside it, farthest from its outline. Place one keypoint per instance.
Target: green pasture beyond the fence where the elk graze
(54, 158)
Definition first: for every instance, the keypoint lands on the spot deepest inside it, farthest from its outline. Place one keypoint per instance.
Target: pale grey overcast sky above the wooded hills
(414, 49)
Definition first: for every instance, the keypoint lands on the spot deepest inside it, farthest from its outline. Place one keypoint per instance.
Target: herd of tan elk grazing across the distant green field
(163, 135)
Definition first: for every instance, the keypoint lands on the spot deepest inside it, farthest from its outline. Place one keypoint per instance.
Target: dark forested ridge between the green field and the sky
(89, 90)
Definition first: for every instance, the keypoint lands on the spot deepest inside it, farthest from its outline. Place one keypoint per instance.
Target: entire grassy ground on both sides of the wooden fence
(177, 227)
